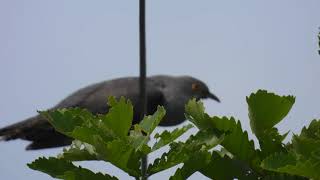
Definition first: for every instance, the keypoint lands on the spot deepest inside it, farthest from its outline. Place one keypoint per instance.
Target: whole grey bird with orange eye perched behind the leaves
(169, 91)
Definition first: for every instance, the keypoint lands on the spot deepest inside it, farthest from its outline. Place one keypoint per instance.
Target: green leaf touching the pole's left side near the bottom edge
(119, 152)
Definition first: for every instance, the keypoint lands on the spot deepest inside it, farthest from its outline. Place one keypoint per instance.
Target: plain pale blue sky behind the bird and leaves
(48, 49)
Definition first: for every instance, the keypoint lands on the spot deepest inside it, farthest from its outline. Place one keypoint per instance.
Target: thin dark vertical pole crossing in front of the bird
(142, 80)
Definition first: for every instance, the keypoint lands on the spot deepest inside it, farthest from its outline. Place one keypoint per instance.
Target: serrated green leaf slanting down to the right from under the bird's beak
(235, 140)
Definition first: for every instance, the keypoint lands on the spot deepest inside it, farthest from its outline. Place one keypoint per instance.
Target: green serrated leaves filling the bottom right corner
(304, 156)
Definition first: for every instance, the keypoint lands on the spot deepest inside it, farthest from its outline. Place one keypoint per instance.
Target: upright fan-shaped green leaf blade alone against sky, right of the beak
(267, 109)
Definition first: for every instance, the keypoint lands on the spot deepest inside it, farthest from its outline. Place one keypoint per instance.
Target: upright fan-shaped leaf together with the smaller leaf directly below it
(265, 111)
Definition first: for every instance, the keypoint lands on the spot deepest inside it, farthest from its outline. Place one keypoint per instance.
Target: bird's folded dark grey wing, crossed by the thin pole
(94, 98)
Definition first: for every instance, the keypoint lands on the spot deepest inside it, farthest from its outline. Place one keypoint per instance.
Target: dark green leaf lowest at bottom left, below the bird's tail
(66, 170)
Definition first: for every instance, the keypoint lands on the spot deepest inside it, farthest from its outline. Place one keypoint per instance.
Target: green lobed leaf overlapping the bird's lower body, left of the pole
(116, 122)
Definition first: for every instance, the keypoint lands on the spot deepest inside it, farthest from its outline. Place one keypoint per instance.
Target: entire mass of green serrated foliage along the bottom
(113, 139)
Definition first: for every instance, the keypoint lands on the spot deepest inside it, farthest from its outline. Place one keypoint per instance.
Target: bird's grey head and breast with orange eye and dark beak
(177, 91)
